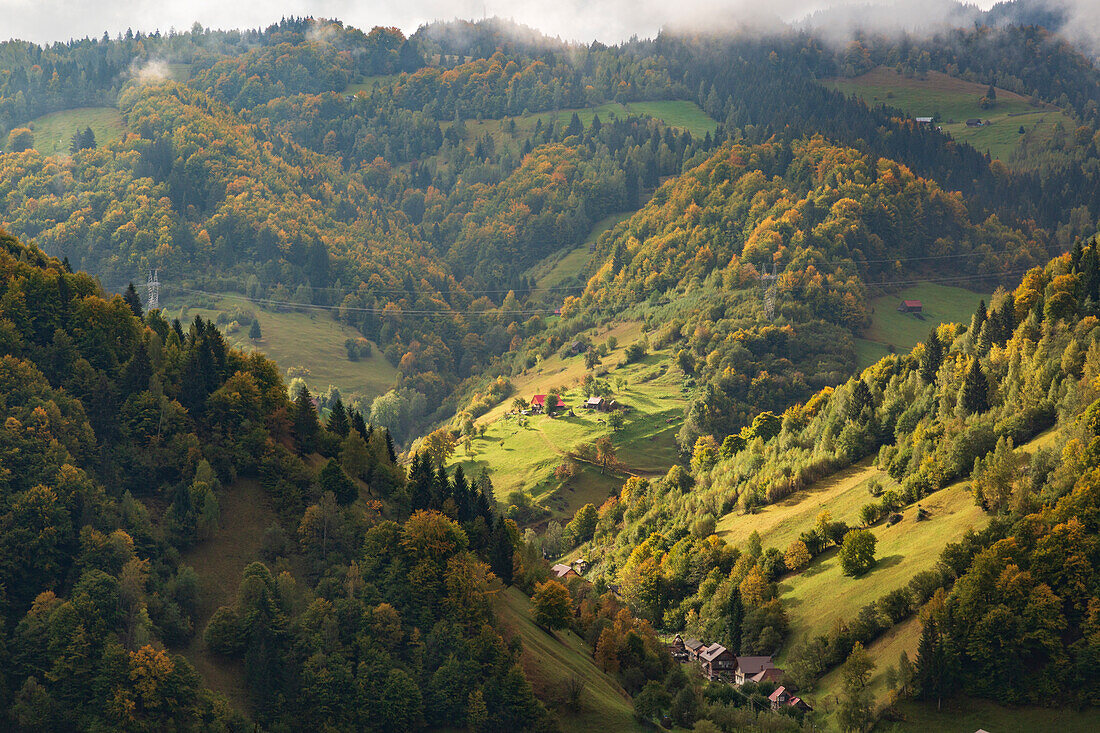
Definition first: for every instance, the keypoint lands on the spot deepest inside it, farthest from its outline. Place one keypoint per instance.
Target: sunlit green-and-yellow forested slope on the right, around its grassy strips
(1019, 593)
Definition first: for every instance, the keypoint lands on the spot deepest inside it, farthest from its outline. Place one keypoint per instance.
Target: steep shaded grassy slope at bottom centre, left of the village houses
(551, 661)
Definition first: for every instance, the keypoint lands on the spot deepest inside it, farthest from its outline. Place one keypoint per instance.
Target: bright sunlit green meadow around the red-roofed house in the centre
(524, 456)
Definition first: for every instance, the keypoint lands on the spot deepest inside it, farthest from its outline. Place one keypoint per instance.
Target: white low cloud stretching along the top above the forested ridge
(610, 21)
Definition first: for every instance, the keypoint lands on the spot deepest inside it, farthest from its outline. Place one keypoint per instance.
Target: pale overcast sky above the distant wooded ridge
(577, 20)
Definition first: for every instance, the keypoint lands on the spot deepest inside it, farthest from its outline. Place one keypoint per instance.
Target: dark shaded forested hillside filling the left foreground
(368, 605)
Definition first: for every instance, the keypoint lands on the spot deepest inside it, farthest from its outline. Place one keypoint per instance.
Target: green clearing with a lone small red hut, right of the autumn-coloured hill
(901, 332)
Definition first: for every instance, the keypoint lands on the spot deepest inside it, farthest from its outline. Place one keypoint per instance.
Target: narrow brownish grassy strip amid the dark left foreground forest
(219, 563)
